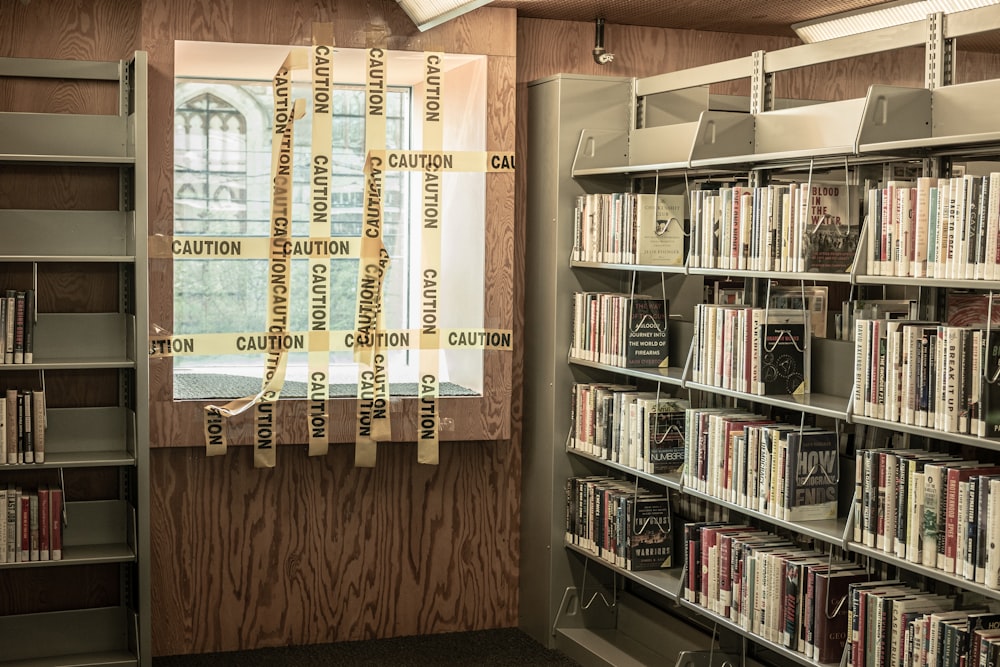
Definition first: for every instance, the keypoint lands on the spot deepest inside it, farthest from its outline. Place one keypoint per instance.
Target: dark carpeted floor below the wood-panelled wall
(489, 648)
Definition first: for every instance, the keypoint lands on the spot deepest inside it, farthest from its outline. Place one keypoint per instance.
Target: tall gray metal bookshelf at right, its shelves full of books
(668, 134)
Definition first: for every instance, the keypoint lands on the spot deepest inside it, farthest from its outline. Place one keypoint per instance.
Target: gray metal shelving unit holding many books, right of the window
(596, 134)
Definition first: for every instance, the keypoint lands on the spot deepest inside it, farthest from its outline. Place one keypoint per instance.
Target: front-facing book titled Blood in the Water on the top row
(832, 228)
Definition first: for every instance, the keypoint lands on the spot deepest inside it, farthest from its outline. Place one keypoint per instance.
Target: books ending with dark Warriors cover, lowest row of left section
(619, 522)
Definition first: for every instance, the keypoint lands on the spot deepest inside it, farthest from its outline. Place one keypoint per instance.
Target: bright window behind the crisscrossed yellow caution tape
(222, 153)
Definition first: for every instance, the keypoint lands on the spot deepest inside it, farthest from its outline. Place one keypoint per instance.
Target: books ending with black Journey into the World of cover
(620, 329)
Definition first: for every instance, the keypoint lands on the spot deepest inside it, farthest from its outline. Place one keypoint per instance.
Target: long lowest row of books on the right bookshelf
(828, 608)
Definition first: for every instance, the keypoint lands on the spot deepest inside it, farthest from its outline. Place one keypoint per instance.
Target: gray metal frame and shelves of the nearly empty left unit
(116, 437)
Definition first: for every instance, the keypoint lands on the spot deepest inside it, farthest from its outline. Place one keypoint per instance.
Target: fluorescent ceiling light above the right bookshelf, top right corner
(880, 16)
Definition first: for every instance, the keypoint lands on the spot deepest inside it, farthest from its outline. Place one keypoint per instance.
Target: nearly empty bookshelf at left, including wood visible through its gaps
(73, 144)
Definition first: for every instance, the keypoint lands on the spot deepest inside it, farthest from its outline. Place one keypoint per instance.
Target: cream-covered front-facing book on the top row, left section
(659, 230)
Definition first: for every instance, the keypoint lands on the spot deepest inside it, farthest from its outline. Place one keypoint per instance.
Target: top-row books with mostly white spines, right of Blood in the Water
(935, 227)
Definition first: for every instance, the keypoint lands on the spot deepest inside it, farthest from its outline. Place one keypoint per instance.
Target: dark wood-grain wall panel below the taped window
(318, 551)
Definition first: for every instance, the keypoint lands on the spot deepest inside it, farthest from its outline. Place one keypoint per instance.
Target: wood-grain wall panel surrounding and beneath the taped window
(316, 550)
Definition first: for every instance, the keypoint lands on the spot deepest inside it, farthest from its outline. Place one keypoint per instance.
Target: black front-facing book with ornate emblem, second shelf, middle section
(783, 353)
